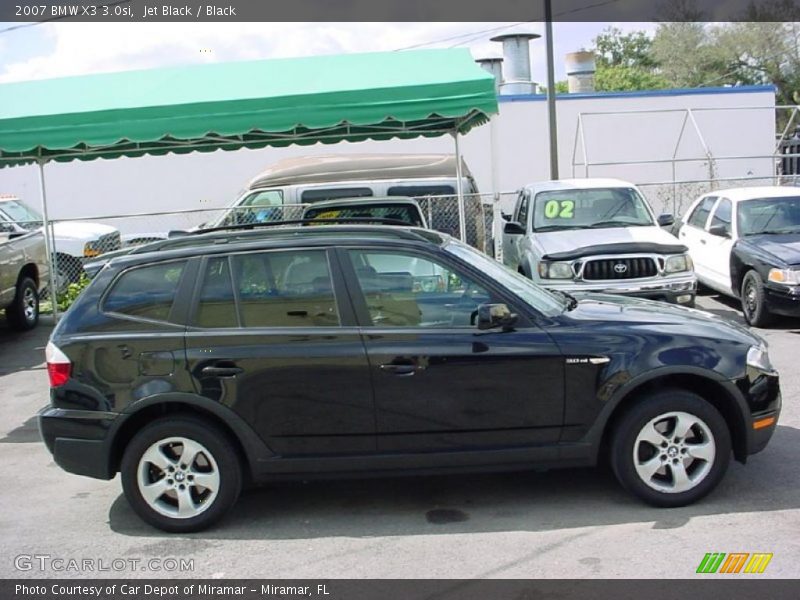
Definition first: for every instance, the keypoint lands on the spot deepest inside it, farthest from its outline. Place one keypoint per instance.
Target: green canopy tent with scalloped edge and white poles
(251, 104)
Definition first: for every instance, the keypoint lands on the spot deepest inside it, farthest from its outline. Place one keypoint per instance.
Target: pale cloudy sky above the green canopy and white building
(63, 49)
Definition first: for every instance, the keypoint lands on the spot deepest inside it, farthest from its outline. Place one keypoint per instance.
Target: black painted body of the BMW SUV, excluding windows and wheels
(358, 397)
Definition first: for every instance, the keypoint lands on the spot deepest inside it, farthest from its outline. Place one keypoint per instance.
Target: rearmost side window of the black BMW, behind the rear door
(145, 292)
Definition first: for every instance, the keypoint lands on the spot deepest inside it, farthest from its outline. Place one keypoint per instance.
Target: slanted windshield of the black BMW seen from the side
(542, 300)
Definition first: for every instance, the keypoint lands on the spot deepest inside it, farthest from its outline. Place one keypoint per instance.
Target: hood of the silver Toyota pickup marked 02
(612, 239)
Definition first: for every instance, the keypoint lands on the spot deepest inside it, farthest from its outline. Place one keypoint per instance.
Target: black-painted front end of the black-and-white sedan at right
(762, 253)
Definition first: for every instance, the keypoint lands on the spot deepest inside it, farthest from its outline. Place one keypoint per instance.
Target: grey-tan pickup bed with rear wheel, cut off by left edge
(23, 274)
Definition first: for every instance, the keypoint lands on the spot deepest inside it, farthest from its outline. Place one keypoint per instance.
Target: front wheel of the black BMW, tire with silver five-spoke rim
(664, 488)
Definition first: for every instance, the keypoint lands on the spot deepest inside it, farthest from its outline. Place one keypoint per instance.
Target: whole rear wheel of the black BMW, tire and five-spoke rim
(181, 474)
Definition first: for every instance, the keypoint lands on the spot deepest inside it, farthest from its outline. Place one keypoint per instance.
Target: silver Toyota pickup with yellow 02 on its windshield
(596, 235)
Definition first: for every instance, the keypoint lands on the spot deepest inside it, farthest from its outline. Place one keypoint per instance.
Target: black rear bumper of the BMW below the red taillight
(79, 440)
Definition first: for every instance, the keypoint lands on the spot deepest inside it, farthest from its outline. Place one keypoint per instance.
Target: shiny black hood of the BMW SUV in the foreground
(660, 317)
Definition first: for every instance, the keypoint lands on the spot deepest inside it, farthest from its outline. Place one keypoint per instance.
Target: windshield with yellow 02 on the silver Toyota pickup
(587, 208)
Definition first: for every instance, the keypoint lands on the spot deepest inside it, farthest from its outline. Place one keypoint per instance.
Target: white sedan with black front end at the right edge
(745, 243)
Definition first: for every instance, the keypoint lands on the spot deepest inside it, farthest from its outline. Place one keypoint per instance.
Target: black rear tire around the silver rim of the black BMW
(213, 442)
